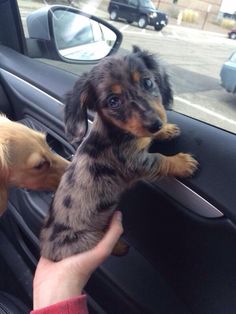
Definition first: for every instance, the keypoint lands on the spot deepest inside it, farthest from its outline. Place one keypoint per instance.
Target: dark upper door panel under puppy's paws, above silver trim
(215, 150)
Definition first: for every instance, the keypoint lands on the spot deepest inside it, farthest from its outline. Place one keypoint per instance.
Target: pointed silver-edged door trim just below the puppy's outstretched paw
(181, 193)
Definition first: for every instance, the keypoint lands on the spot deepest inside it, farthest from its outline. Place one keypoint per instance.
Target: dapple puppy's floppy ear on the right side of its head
(161, 76)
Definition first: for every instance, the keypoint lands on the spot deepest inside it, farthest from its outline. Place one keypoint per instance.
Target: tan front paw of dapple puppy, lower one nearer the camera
(185, 166)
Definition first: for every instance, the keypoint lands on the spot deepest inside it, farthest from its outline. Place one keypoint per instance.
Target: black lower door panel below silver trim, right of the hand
(195, 255)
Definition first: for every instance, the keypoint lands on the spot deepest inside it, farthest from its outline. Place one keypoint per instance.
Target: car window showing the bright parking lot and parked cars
(195, 40)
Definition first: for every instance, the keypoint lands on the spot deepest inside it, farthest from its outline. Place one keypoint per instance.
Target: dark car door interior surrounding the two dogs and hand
(181, 232)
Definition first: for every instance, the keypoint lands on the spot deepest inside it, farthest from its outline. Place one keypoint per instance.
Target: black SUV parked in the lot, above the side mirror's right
(141, 11)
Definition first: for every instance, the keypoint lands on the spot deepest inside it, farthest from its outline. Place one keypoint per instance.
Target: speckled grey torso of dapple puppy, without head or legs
(102, 169)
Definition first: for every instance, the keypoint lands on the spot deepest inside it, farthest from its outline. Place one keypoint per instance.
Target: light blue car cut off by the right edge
(228, 74)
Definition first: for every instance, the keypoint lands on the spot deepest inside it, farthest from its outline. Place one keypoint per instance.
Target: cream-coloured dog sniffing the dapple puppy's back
(26, 160)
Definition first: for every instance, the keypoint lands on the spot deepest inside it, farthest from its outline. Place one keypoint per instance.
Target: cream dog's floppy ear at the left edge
(3, 178)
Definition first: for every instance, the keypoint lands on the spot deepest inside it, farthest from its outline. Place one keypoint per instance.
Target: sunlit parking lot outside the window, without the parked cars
(194, 52)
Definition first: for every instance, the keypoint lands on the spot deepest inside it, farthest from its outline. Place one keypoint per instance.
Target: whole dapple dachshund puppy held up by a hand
(129, 95)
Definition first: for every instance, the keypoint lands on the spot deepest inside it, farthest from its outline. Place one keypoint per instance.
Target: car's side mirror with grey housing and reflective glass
(65, 33)
